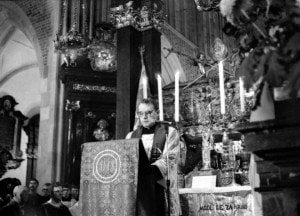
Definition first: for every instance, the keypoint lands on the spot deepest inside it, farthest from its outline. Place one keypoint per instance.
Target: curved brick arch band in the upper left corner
(12, 13)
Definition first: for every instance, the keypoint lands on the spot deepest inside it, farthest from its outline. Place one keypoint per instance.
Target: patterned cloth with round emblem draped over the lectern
(108, 184)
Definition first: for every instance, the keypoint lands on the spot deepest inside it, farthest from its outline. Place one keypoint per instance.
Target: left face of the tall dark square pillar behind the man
(128, 73)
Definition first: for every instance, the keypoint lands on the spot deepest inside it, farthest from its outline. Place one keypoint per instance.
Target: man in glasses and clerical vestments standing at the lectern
(155, 167)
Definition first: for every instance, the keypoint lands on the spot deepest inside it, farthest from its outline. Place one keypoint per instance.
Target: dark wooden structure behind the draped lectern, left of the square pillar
(89, 96)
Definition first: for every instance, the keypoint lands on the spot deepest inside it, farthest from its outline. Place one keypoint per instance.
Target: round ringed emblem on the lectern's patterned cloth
(106, 166)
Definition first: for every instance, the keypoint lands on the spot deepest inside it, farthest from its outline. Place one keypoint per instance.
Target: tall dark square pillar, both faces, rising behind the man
(129, 69)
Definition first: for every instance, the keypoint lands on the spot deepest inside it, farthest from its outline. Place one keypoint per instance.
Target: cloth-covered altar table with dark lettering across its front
(229, 201)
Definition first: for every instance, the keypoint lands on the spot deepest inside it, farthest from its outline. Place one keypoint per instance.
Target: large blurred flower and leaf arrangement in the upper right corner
(268, 33)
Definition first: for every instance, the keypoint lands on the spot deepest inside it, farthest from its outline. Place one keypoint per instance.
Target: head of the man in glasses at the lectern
(147, 112)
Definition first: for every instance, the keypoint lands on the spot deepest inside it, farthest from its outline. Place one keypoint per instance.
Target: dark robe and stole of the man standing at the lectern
(151, 199)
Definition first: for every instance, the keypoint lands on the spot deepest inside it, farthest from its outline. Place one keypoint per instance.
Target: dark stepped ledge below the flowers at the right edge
(276, 144)
